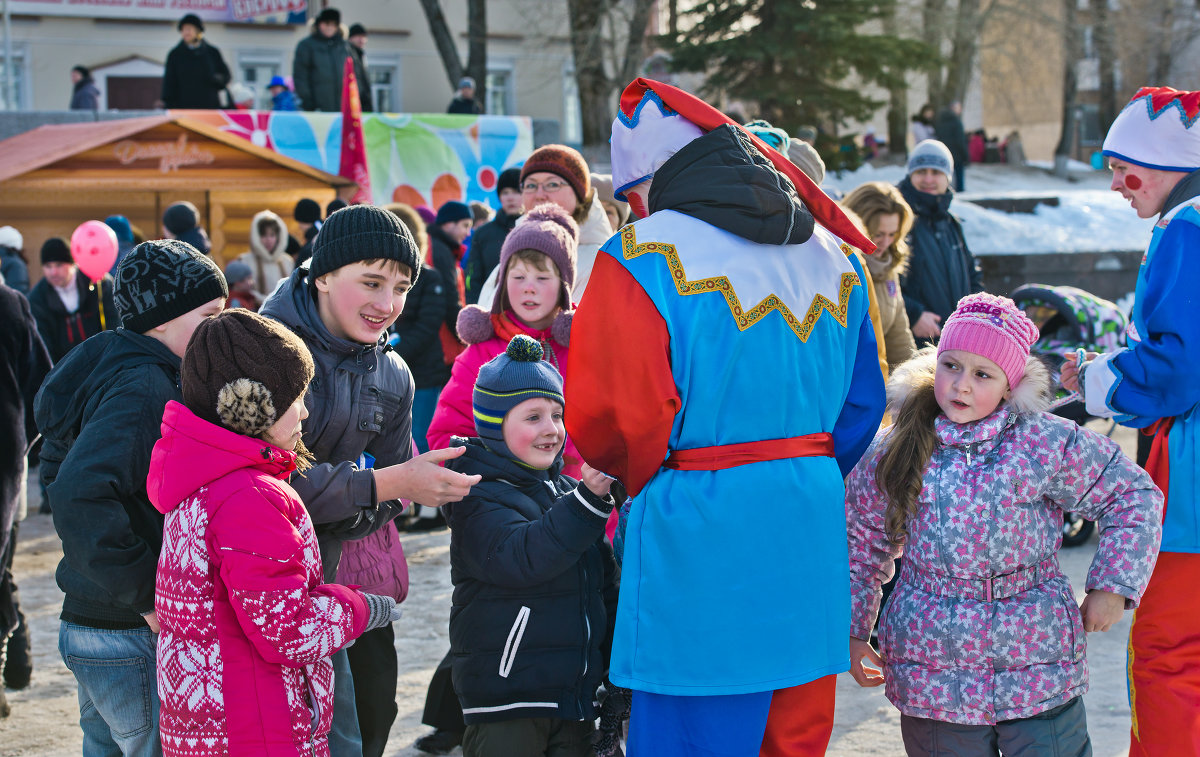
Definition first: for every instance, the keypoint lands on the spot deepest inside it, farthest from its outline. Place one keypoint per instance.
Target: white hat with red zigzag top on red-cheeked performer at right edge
(1157, 130)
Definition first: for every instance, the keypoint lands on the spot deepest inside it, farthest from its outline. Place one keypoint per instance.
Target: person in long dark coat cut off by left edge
(23, 365)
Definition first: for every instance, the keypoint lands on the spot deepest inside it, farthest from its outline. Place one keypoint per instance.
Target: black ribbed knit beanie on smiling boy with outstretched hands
(363, 233)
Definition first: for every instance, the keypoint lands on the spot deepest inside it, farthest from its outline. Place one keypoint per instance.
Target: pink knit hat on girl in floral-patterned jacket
(992, 327)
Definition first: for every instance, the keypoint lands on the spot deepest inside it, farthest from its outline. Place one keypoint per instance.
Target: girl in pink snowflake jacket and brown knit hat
(248, 624)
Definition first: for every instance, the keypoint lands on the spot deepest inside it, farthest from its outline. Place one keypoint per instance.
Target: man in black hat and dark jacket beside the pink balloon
(65, 304)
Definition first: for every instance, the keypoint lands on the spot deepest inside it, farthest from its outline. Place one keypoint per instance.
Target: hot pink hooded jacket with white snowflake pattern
(248, 626)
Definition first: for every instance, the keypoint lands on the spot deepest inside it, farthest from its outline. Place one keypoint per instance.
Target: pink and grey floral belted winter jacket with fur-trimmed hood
(962, 650)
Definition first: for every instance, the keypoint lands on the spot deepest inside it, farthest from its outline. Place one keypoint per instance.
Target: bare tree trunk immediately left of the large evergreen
(595, 32)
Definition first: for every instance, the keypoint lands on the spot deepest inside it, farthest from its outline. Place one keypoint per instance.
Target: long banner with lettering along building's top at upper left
(241, 11)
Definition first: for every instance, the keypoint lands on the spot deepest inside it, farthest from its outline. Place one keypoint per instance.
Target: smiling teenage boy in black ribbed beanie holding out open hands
(359, 429)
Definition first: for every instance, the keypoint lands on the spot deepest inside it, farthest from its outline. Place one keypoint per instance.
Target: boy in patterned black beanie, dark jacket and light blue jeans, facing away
(99, 412)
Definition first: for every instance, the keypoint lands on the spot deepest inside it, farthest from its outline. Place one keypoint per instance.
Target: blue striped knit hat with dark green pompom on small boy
(517, 375)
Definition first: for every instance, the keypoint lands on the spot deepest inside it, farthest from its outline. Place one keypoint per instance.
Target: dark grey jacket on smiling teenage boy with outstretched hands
(359, 401)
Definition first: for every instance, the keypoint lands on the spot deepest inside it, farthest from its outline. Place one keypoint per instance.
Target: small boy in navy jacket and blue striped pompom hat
(535, 580)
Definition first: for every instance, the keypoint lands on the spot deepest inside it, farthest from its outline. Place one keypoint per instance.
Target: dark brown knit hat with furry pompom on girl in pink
(244, 371)
